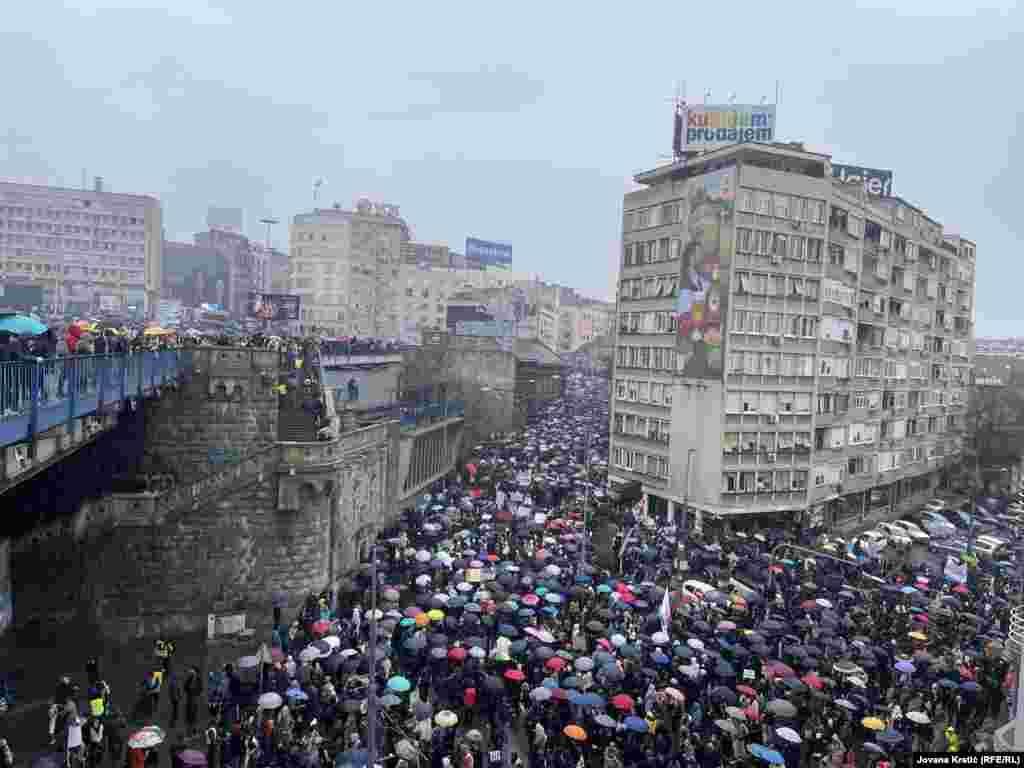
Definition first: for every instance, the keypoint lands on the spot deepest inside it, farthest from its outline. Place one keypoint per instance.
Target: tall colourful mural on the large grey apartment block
(708, 245)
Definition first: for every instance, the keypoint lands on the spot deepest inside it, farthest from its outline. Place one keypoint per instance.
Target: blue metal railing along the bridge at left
(39, 395)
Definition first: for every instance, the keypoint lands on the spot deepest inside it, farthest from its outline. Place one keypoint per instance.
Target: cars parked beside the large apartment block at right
(946, 531)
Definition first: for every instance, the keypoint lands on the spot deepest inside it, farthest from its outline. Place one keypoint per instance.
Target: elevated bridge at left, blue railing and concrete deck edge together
(52, 407)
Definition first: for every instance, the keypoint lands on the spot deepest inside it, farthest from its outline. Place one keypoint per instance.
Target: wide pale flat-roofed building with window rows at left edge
(86, 251)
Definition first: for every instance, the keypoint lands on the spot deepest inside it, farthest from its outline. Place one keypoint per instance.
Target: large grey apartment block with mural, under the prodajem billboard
(791, 351)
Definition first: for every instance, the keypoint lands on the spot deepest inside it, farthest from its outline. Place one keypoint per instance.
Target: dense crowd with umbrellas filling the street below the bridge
(511, 629)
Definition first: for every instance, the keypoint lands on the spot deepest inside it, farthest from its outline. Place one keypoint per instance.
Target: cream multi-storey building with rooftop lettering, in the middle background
(346, 266)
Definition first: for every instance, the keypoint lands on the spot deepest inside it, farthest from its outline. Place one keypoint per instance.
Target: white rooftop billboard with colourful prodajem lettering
(711, 126)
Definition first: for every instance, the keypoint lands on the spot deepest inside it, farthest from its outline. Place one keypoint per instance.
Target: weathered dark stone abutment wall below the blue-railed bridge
(237, 518)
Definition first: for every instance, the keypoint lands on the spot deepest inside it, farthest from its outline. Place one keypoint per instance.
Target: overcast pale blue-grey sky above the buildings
(519, 122)
